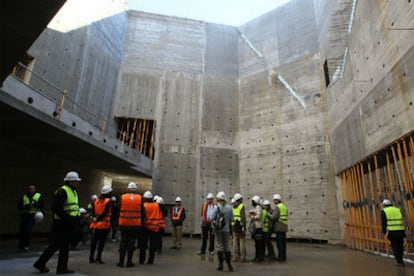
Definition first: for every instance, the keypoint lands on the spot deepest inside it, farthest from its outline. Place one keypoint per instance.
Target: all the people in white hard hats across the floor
(142, 220)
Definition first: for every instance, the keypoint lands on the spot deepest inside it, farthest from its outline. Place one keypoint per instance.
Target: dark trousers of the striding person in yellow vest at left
(61, 237)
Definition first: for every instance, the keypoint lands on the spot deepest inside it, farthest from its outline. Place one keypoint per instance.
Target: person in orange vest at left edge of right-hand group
(207, 232)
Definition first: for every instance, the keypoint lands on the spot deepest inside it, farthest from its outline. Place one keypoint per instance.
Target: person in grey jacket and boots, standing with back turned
(223, 238)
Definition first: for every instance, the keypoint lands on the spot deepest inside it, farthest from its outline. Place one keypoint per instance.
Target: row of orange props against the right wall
(387, 173)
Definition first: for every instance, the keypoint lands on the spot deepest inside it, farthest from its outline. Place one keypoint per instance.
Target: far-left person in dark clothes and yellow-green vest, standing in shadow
(30, 204)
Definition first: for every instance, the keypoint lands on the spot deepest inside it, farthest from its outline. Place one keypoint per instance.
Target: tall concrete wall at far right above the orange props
(372, 105)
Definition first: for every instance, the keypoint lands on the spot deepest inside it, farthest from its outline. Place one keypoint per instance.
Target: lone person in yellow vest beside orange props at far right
(392, 222)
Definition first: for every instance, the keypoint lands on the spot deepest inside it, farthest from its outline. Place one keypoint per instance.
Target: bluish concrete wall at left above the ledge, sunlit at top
(81, 53)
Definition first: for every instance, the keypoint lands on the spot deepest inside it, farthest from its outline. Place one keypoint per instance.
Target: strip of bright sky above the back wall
(227, 12)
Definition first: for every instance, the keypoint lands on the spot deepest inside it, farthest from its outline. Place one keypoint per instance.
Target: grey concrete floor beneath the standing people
(303, 259)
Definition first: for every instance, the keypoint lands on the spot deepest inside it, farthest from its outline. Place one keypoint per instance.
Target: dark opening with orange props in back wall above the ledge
(138, 134)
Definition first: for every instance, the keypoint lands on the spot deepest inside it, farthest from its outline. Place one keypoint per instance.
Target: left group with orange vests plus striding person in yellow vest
(141, 221)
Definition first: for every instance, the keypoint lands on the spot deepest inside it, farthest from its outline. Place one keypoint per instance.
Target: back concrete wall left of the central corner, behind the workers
(182, 73)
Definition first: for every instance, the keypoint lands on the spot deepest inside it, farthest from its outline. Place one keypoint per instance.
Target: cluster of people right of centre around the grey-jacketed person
(261, 221)
